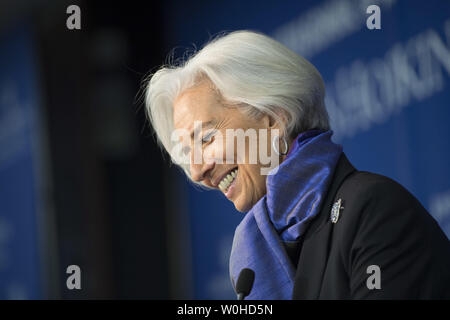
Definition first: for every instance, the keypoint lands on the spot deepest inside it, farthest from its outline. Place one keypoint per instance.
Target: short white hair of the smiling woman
(249, 70)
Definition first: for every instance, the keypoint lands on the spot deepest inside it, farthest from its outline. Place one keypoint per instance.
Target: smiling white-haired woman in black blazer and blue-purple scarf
(315, 227)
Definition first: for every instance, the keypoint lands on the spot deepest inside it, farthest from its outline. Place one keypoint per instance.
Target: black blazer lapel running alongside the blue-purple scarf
(316, 241)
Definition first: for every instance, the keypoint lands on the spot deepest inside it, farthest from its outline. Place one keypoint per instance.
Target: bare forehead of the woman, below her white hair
(199, 103)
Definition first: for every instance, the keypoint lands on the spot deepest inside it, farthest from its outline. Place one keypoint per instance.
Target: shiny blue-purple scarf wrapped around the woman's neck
(294, 197)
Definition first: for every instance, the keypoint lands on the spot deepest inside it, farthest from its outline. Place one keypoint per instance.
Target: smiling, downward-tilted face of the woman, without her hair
(228, 170)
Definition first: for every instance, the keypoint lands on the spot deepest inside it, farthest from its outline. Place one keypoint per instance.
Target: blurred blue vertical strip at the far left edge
(20, 264)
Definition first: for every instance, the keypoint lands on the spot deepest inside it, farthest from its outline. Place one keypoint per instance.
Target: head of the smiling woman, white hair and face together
(244, 81)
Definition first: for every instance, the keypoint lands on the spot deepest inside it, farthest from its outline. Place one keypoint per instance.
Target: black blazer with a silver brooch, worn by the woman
(380, 224)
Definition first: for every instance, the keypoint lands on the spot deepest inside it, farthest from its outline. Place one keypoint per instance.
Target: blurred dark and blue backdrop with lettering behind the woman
(82, 181)
